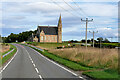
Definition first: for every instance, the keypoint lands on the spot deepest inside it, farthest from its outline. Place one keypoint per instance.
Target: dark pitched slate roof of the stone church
(49, 30)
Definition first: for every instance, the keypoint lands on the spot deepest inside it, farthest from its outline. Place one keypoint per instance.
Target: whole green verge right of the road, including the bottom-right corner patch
(93, 72)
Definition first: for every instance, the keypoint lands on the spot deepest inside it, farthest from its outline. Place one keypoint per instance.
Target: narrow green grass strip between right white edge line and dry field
(70, 64)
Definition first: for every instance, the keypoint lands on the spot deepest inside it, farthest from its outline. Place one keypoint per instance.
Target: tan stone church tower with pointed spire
(59, 40)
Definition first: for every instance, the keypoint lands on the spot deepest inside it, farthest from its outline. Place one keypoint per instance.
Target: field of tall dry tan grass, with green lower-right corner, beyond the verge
(102, 61)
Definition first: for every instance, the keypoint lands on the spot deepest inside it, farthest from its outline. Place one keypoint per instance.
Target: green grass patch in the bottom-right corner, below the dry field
(107, 74)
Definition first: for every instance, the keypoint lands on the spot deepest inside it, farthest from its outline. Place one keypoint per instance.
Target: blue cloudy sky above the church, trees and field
(18, 16)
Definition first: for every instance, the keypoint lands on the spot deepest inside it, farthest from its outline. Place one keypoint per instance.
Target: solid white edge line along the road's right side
(59, 65)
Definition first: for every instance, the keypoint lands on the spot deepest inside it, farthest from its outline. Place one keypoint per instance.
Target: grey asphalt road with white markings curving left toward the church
(28, 64)
